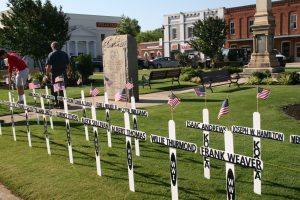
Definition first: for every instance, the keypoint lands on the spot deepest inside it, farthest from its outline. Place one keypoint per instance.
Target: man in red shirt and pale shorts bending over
(15, 62)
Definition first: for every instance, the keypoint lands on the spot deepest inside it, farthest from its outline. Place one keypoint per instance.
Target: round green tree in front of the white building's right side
(210, 35)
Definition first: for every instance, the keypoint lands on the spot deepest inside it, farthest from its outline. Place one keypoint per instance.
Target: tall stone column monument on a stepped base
(263, 57)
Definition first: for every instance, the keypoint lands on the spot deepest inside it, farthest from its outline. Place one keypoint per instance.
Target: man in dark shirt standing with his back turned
(57, 64)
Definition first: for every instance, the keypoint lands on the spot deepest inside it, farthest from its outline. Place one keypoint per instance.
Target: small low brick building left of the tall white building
(150, 50)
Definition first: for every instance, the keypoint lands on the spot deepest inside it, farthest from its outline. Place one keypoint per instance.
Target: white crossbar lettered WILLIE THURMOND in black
(177, 144)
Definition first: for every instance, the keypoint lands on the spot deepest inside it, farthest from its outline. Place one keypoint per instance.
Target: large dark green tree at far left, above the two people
(29, 27)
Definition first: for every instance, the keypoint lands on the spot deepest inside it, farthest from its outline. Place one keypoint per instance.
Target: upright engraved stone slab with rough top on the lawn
(120, 65)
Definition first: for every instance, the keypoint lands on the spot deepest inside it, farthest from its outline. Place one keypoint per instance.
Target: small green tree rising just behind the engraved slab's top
(128, 26)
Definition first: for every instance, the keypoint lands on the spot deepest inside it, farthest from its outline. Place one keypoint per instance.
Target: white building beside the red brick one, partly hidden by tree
(178, 29)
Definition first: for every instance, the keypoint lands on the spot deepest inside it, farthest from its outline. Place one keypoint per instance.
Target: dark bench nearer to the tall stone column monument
(222, 77)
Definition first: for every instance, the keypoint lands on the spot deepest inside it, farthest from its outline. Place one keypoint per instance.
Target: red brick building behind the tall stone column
(287, 31)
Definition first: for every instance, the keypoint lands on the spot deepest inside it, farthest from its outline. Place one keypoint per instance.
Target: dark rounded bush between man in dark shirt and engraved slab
(84, 66)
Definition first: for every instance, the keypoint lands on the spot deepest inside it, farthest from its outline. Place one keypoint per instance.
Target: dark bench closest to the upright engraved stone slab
(162, 74)
